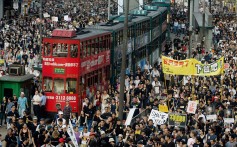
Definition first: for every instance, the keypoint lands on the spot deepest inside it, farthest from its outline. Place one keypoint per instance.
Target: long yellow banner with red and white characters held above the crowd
(191, 67)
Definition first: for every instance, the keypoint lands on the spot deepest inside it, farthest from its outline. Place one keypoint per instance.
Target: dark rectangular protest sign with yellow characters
(177, 119)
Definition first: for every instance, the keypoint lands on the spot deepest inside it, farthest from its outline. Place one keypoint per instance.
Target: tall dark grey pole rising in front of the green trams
(123, 67)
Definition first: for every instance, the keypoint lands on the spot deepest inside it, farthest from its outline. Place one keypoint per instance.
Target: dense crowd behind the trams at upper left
(20, 33)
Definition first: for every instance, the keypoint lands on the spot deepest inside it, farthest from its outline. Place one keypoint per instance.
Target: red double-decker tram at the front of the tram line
(72, 63)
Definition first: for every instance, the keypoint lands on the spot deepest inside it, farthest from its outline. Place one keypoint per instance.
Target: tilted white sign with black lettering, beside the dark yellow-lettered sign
(158, 117)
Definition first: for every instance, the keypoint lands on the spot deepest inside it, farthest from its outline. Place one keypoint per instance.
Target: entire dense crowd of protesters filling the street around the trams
(98, 123)
